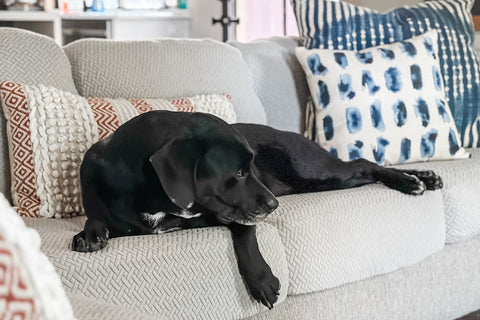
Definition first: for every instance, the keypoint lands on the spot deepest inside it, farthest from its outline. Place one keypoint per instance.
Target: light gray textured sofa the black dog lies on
(363, 253)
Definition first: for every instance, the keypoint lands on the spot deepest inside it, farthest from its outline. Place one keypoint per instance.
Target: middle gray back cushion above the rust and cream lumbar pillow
(167, 68)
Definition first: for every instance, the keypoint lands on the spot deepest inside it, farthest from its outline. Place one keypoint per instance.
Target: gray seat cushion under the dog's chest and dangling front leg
(183, 275)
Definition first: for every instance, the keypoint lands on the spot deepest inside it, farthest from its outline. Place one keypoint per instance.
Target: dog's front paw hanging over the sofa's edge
(264, 287)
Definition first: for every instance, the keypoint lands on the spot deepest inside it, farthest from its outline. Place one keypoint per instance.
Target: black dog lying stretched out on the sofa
(163, 171)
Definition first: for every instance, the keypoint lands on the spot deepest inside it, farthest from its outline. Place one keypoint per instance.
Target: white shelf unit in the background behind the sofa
(114, 24)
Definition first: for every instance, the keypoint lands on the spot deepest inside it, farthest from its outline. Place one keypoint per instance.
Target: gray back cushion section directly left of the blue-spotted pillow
(278, 80)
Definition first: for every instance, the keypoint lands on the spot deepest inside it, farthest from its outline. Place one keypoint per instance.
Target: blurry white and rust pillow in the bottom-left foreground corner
(29, 286)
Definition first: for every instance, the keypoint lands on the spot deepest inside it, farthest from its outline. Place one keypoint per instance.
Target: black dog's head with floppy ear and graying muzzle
(211, 167)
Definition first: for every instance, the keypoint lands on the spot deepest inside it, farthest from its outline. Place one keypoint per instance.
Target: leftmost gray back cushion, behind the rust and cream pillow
(29, 58)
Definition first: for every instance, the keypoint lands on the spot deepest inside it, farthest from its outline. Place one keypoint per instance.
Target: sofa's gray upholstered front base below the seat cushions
(443, 286)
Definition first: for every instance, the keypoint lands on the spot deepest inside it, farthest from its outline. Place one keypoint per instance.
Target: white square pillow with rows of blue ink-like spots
(385, 104)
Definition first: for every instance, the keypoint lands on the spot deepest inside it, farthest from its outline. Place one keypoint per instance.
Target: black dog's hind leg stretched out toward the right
(289, 163)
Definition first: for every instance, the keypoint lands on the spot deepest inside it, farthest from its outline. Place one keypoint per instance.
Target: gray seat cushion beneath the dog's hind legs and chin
(336, 237)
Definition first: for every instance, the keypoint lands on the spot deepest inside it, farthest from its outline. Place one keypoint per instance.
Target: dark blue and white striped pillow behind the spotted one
(340, 25)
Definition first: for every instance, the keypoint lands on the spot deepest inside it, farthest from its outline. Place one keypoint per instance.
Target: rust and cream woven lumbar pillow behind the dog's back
(49, 131)
